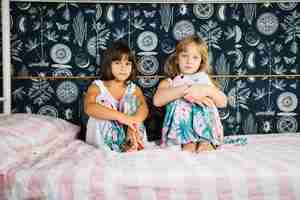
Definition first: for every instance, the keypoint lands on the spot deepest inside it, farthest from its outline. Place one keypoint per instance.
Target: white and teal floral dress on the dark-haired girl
(108, 134)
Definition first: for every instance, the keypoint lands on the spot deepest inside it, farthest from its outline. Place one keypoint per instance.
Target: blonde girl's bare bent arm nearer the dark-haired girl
(165, 93)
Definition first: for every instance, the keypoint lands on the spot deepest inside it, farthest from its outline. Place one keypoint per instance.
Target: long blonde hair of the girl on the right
(172, 62)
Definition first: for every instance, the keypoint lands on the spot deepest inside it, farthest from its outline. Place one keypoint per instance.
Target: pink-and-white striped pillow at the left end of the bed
(25, 132)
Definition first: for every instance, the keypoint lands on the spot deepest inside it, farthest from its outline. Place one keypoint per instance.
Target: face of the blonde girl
(190, 59)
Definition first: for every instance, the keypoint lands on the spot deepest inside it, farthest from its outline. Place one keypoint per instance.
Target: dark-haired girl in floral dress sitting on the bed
(115, 105)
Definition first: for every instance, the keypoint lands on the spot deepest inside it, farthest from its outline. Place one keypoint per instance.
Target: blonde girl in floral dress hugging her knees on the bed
(191, 98)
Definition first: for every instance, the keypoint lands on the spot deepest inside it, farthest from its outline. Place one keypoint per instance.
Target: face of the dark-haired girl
(121, 69)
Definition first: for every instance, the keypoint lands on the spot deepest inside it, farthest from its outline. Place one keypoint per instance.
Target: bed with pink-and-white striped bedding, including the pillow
(42, 159)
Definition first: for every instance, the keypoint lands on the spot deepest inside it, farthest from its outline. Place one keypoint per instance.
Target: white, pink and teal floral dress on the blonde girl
(187, 122)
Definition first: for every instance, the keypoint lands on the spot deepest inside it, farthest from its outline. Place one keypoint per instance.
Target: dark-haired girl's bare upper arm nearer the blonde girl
(143, 110)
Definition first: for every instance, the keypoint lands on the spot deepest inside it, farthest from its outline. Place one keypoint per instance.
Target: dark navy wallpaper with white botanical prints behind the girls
(253, 48)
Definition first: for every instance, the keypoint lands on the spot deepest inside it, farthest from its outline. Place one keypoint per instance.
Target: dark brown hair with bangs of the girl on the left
(114, 53)
